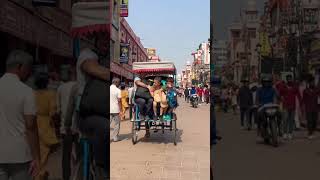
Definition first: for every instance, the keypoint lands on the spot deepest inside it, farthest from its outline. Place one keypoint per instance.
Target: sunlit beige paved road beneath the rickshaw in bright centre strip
(157, 158)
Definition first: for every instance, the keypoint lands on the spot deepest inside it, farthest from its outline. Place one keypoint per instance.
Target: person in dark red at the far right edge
(310, 102)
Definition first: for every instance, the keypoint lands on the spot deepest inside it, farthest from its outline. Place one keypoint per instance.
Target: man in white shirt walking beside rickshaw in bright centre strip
(115, 106)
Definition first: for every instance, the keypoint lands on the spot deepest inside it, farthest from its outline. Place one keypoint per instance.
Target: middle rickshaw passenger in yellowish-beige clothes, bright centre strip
(159, 98)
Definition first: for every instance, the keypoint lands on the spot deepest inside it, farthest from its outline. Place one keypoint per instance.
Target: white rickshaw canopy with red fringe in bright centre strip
(154, 67)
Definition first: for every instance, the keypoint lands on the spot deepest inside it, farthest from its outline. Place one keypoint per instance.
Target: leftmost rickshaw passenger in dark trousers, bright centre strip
(143, 100)
